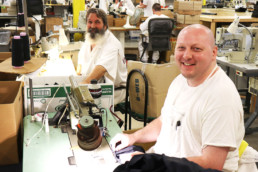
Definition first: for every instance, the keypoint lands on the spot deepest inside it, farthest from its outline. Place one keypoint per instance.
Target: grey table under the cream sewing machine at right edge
(249, 70)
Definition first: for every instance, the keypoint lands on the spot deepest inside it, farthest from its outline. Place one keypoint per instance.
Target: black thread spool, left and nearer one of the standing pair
(17, 52)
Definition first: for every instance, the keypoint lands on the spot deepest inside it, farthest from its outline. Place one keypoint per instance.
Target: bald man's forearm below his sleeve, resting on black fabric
(212, 157)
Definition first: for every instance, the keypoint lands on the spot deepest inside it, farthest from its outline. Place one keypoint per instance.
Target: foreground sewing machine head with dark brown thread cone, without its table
(83, 118)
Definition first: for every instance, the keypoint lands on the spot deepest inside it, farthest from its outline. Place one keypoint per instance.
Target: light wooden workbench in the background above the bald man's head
(224, 15)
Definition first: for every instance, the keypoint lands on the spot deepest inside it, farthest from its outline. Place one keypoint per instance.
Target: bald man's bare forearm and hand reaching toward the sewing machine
(149, 133)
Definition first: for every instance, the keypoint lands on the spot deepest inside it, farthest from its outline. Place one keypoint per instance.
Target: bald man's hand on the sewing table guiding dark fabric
(121, 141)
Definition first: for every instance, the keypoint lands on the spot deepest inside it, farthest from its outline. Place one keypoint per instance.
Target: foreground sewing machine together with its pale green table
(63, 148)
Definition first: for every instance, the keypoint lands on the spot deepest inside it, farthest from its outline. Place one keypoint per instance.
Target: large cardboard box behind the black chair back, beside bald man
(159, 77)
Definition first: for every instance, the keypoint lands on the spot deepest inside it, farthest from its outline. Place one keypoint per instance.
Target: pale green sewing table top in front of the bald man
(58, 150)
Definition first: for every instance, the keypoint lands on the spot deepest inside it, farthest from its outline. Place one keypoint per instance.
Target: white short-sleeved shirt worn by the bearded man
(109, 54)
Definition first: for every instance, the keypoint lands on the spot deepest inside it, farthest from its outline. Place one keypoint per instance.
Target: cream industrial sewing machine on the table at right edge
(241, 47)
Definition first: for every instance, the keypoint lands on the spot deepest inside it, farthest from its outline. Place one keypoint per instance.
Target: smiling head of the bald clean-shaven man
(195, 53)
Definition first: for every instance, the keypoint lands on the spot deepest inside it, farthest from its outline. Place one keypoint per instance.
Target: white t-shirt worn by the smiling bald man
(195, 117)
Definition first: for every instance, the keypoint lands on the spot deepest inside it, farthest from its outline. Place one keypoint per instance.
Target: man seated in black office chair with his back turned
(156, 8)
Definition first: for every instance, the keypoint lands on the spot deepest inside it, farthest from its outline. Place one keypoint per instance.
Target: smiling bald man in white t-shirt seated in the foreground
(202, 117)
